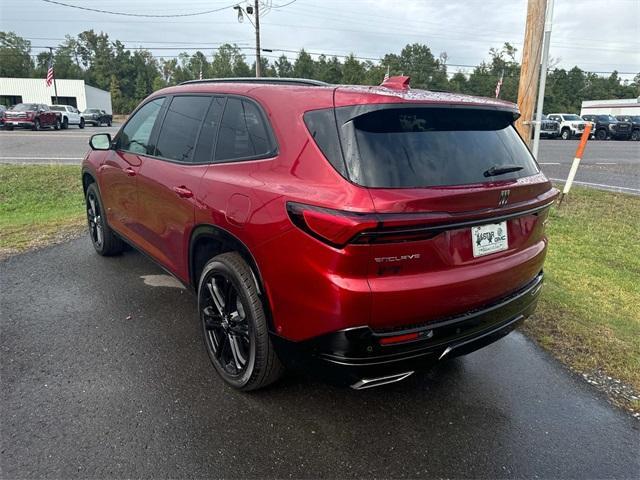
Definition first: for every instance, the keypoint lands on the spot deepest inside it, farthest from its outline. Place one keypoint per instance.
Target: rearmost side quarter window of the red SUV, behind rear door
(243, 133)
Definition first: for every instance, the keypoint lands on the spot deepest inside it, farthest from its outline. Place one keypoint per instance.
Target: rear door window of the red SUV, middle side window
(177, 139)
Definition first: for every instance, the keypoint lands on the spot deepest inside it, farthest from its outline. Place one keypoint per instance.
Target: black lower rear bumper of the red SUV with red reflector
(350, 355)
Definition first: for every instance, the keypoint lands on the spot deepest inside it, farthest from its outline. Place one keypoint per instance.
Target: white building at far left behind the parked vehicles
(70, 92)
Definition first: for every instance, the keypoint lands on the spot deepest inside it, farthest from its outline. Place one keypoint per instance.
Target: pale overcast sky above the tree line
(596, 35)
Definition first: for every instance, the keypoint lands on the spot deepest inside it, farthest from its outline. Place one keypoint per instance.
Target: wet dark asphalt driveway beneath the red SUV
(105, 375)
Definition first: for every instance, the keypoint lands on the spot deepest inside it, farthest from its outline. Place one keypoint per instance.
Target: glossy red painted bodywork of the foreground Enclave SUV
(316, 286)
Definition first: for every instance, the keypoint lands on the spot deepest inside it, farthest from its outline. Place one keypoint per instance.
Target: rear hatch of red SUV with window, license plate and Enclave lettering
(460, 204)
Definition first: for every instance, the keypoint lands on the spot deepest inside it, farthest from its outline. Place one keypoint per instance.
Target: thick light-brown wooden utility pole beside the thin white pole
(530, 68)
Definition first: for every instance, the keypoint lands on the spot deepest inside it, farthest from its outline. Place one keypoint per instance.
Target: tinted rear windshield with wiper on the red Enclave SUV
(428, 147)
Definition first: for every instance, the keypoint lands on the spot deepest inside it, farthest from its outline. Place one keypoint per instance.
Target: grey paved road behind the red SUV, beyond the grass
(612, 165)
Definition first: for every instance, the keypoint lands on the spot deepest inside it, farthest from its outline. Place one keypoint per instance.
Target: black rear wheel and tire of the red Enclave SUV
(234, 324)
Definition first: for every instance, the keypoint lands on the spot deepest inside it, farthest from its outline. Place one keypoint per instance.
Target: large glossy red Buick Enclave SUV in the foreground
(309, 241)
